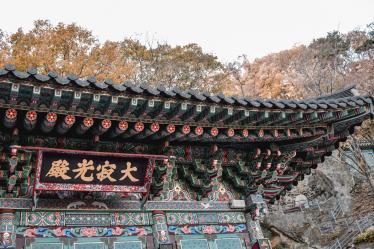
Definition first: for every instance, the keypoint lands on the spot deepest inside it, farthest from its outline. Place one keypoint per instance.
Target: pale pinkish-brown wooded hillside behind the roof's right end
(327, 64)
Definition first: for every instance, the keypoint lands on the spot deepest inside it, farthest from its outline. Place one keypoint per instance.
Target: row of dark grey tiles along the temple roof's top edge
(174, 92)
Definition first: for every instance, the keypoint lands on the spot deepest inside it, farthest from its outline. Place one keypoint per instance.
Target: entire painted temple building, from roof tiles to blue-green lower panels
(89, 164)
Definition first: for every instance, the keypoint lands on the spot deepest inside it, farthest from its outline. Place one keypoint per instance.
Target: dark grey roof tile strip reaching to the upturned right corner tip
(338, 99)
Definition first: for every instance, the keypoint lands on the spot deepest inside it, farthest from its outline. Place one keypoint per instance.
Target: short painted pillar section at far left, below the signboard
(7, 229)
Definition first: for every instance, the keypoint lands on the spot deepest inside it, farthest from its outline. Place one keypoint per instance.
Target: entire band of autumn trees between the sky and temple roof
(328, 63)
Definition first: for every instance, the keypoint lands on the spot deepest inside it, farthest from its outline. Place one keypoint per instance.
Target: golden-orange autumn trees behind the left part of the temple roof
(71, 49)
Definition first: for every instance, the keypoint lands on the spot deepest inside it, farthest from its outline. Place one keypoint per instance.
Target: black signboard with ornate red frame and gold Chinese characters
(73, 170)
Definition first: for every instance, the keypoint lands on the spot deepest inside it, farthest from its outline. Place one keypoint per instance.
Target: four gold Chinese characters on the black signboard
(85, 170)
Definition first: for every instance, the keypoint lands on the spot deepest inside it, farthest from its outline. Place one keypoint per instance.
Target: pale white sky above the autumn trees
(225, 28)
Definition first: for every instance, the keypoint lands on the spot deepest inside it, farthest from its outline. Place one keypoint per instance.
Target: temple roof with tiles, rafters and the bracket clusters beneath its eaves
(262, 145)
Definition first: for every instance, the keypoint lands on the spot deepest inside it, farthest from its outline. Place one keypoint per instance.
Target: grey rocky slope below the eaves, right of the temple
(329, 189)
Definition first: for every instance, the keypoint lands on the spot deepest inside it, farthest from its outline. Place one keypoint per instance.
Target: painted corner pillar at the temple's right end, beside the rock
(256, 208)
